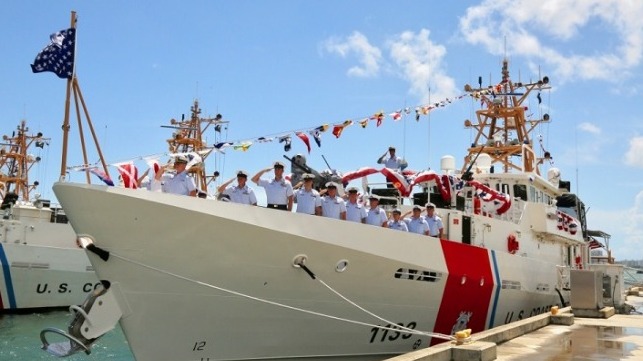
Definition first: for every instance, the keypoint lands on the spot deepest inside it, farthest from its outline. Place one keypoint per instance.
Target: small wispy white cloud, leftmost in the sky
(368, 55)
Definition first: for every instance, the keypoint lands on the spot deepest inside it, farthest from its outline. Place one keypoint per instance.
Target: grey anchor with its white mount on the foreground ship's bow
(98, 314)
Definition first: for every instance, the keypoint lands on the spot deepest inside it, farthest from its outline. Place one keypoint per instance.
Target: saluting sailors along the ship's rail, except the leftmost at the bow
(280, 194)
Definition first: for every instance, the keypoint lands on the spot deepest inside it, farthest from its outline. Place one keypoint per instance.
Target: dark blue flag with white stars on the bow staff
(58, 56)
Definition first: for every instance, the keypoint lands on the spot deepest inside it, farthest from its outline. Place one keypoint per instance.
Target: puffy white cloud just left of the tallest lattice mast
(420, 62)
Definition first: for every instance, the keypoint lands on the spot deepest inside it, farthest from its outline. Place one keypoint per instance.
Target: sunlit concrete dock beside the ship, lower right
(557, 337)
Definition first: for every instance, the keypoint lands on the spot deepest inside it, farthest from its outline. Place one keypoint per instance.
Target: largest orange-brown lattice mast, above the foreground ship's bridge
(503, 132)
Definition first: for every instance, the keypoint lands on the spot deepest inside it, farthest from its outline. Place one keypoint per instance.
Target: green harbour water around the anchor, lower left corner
(20, 339)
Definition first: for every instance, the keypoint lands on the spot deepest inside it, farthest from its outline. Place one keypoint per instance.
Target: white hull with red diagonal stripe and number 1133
(183, 270)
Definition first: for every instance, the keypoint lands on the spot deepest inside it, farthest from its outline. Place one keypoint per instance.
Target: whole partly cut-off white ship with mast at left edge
(41, 264)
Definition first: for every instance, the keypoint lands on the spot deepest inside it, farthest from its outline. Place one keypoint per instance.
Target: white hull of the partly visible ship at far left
(40, 264)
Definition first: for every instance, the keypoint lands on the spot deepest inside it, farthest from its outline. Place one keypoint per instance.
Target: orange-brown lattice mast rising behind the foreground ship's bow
(189, 138)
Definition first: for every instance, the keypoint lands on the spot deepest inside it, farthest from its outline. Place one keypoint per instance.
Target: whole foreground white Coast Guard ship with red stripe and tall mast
(196, 279)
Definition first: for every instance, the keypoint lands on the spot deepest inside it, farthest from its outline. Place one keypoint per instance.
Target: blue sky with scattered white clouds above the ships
(275, 67)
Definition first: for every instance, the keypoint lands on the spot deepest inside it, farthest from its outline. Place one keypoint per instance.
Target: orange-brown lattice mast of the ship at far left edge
(16, 162)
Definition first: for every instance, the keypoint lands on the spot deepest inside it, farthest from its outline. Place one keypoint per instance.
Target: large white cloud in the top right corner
(518, 21)
